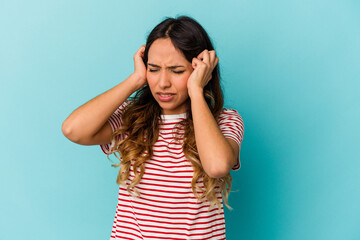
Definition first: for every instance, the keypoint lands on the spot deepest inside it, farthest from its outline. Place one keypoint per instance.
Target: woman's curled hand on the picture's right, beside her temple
(203, 65)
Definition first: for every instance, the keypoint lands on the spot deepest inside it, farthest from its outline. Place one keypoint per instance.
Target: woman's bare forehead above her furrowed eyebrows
(163, 51)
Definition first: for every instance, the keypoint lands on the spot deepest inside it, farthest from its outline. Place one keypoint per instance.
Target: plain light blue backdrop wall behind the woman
(290, 68)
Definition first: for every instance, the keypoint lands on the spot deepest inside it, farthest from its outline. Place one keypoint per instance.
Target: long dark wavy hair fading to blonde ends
(140, 119)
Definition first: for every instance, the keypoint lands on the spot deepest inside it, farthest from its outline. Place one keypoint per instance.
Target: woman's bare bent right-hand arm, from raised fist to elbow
(217, 154)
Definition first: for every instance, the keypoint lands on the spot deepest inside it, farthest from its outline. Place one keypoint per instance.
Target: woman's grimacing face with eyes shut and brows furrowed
(167, 75)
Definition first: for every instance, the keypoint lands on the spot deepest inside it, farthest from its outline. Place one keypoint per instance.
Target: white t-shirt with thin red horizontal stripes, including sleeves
(167, 208)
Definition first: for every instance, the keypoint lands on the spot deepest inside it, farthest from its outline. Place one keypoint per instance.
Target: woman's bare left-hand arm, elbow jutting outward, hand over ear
(90, 119)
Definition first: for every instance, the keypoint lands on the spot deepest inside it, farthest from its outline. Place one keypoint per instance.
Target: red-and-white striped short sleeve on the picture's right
(232, 126)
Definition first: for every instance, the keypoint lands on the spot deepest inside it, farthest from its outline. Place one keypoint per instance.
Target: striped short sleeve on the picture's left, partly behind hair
(115, 121)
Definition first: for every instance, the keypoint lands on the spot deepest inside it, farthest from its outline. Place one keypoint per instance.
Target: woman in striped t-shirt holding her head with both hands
(174, 132)
